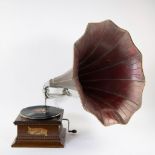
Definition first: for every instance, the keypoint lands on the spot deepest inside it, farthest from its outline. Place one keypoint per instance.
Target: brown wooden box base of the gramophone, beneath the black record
(40, 133)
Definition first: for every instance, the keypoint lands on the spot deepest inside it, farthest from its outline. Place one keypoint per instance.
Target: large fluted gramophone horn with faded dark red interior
(107, 73)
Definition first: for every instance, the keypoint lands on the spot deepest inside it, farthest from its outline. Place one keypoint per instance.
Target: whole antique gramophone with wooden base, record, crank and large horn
(108, 75)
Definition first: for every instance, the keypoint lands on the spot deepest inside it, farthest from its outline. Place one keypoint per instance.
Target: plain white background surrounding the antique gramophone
(36, 44)
